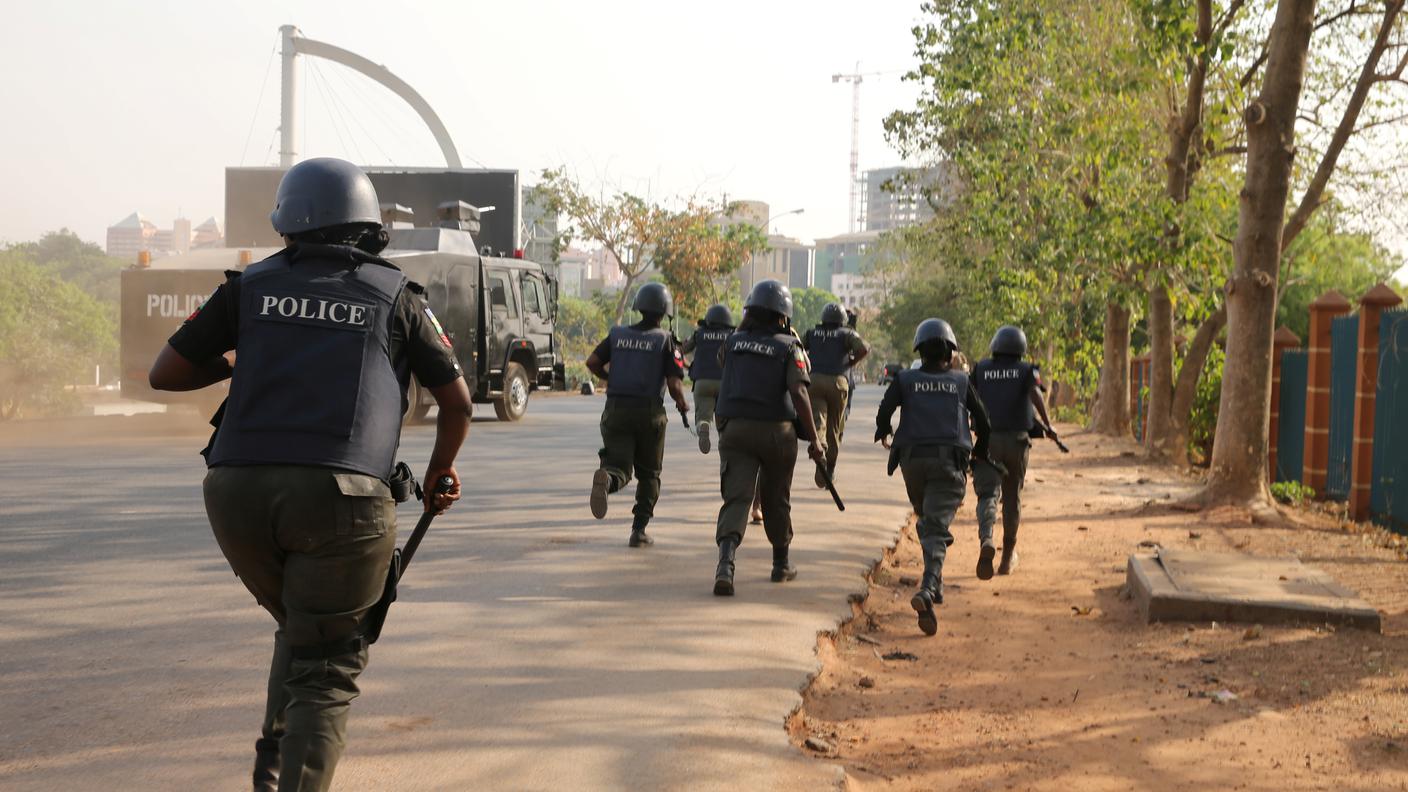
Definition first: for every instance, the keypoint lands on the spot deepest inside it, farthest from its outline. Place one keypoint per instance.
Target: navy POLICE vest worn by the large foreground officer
(313, 381)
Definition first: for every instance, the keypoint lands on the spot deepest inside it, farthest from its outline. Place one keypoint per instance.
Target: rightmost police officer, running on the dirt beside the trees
(1012, 391)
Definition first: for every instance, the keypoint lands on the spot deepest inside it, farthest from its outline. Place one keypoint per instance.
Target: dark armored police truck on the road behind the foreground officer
(498, 312)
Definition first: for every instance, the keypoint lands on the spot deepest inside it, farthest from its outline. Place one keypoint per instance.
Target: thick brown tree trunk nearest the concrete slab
(1238, 473)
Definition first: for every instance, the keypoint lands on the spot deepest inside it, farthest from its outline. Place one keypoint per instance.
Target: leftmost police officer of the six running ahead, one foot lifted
(639, 363)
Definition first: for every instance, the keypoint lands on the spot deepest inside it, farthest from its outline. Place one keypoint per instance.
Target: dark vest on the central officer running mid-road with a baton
(755, 378)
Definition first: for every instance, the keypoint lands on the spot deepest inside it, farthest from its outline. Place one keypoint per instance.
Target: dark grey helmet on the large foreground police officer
(318, 194)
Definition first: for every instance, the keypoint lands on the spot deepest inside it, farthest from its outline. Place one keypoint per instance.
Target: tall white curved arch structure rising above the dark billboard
(295, 44)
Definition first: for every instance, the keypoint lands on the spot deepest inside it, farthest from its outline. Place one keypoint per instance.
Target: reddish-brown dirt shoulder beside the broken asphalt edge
(1024, 688)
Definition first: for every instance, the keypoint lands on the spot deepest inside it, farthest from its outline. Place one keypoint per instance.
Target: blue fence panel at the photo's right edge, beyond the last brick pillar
(1389, 495)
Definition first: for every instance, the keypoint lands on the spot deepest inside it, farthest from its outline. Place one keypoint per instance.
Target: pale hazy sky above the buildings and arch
(120, 106)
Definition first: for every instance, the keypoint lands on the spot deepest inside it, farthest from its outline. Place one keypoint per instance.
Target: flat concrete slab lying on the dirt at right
(1182, 586)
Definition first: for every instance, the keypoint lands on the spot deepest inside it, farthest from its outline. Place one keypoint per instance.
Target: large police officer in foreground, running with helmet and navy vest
(327, 338)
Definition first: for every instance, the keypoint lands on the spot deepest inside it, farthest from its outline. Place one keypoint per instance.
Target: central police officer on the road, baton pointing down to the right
(762, 408)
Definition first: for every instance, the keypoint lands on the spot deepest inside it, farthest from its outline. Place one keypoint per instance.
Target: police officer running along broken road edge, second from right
(933, 449)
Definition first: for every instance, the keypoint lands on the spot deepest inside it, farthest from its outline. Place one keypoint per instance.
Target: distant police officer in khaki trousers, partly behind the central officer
(834, 349)
